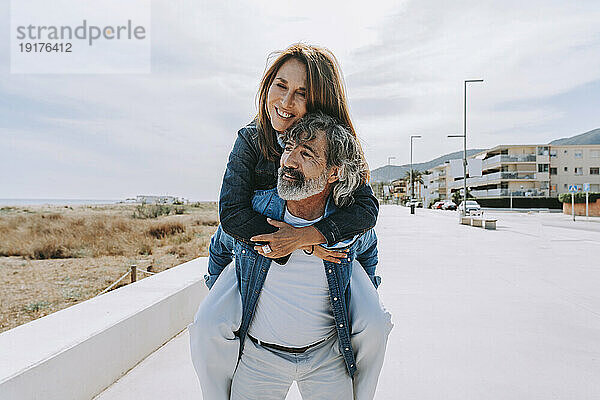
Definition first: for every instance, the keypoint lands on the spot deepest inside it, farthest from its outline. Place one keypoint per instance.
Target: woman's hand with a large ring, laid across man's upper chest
(287, 239)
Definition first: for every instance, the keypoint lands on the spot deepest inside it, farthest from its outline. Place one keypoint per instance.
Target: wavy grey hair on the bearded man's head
(342, 151)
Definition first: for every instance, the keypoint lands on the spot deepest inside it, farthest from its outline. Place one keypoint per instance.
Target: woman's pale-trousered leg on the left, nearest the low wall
(213, 345)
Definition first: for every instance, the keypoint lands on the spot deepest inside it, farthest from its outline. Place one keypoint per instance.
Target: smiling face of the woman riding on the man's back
(286, 100)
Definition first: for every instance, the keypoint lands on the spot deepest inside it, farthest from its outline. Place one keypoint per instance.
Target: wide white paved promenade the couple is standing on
(506, 314)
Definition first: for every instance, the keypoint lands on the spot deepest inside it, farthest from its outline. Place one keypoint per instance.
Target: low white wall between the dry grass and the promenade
(77, 352)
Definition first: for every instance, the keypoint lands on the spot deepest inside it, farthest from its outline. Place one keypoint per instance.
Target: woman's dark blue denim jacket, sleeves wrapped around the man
(247, 171)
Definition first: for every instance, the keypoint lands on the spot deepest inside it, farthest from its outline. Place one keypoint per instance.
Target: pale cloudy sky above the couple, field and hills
(85, 136)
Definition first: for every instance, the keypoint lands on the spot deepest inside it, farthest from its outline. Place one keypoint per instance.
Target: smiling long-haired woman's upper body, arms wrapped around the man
(301, 79)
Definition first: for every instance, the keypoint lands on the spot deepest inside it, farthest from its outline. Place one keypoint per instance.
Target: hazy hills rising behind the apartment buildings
(391, 172)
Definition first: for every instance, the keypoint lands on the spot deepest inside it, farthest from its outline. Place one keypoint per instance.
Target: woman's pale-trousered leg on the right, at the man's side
(371, 326)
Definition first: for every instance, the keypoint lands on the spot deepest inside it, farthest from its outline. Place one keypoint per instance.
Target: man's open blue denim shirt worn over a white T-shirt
(252, 269)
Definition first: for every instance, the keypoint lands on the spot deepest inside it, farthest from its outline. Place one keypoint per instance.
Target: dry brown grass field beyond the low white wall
(52, 257)
